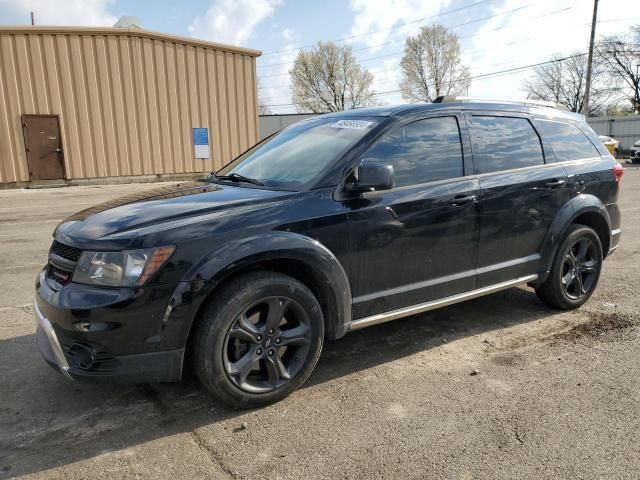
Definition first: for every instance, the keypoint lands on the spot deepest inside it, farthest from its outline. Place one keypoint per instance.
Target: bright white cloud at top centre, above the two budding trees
(374, 15)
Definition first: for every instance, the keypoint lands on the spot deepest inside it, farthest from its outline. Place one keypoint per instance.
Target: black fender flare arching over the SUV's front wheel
(208, 273)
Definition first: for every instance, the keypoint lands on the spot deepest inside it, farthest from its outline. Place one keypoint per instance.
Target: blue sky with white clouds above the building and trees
(495, 35)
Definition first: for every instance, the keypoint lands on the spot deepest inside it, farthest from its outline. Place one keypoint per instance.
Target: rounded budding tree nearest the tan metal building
(328, 79)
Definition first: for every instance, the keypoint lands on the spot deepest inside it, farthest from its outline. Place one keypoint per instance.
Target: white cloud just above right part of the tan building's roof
(232, 21)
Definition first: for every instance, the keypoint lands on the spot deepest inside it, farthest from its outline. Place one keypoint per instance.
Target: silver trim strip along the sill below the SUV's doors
(433, 304)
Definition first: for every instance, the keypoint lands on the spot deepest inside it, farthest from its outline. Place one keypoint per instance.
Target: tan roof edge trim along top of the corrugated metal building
(128, 32)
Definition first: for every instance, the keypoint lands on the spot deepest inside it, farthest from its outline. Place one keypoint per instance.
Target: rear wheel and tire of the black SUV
(575, 271)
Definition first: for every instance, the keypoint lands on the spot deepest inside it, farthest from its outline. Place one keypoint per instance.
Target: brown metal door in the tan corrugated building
(44, 146)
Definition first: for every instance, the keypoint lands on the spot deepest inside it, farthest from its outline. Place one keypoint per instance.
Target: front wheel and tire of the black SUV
(254, 333)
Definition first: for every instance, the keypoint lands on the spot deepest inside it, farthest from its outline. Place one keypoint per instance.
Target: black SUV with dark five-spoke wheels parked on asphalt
(336, 223)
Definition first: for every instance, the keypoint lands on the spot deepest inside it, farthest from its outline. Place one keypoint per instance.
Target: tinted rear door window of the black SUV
(502, 143)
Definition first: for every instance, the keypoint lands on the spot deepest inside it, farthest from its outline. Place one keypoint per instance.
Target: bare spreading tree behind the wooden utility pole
(563, 81)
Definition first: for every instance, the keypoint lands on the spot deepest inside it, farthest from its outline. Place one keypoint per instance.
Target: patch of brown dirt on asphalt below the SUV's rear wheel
(601, 326)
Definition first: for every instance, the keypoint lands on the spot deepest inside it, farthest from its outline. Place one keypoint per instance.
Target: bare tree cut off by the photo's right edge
(622, 59)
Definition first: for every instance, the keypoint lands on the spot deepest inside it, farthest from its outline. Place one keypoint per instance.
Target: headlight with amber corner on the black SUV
(120, 269)
